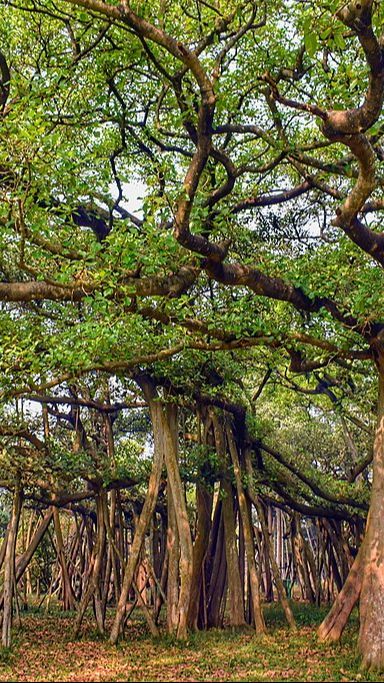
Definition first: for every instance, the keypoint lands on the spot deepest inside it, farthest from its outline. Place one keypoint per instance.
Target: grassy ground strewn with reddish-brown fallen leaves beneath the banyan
(44, 650)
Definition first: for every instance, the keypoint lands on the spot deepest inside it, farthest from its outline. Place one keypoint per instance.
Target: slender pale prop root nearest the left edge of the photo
(9, 565)
